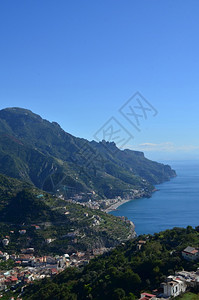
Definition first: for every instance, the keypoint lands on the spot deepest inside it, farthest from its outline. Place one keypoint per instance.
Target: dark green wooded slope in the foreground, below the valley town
(124, 272)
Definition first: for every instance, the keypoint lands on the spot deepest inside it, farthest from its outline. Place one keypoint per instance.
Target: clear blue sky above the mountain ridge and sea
(78, 62)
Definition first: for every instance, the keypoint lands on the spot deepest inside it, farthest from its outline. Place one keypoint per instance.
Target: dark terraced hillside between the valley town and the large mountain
(46, 217)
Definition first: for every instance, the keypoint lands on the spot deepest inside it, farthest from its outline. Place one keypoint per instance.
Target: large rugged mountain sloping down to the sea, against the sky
(42, 153)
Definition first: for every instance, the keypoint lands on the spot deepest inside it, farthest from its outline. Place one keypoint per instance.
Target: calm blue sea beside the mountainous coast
(175, 204)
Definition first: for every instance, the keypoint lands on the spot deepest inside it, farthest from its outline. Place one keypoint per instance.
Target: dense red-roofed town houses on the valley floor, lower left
(29, 267)
